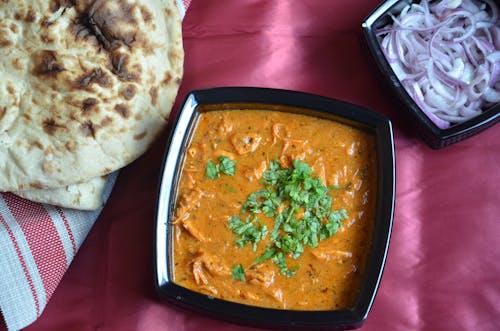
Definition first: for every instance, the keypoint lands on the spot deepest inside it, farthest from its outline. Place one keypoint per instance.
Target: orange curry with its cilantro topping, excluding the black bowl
(275, 209)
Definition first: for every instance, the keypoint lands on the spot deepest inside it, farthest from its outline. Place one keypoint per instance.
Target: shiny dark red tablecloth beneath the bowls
(442, 271)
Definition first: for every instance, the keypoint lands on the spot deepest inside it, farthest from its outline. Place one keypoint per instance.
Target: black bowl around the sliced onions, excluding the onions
(434, 136)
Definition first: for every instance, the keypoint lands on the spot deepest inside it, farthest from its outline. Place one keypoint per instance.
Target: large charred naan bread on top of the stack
(86, 86)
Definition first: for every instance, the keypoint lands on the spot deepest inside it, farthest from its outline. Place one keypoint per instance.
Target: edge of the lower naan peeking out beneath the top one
(84, 196)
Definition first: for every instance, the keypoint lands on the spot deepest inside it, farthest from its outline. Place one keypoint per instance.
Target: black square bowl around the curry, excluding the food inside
(181, 128)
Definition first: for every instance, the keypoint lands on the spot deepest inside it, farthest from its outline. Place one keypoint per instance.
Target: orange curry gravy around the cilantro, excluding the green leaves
(205, 251)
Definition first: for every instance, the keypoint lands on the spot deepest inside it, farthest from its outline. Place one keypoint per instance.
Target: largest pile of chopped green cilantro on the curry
(302, 212)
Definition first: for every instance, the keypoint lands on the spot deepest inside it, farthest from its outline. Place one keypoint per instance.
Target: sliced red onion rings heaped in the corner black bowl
(446, 54)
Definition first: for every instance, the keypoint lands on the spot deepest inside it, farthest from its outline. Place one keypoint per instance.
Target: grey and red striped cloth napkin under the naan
(37, 244)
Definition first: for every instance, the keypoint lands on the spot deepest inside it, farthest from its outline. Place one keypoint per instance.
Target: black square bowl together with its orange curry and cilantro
(274, 207)
